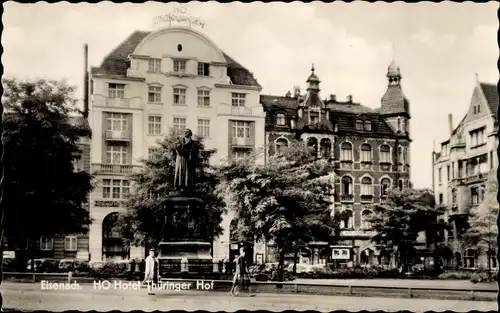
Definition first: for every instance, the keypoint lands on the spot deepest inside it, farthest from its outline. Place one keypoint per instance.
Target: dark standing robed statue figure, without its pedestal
(186, 158)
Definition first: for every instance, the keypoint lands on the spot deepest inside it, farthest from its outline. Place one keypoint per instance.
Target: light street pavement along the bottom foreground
(27, 296)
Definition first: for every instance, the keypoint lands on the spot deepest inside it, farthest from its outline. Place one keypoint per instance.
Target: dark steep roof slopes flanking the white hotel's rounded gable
(116, 63)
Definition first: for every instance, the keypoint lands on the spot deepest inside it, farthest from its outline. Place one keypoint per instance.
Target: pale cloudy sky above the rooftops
(439, 47)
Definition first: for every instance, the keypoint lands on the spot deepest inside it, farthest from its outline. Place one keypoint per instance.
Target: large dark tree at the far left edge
(43, 196)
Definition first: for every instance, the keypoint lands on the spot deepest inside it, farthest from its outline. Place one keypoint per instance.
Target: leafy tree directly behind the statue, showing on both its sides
(146, 218)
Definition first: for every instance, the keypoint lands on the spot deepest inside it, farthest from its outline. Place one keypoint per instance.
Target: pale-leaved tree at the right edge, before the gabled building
(482, 233)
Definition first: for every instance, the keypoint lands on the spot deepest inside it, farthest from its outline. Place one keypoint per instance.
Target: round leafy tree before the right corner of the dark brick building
(399, 220)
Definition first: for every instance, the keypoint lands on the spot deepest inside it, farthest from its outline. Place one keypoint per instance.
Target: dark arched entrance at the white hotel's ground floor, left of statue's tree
(113, 247)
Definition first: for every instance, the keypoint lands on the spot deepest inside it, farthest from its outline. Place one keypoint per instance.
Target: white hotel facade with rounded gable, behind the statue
(171, 74)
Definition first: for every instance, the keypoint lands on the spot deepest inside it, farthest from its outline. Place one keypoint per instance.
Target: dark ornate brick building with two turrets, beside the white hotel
(369, 148)
